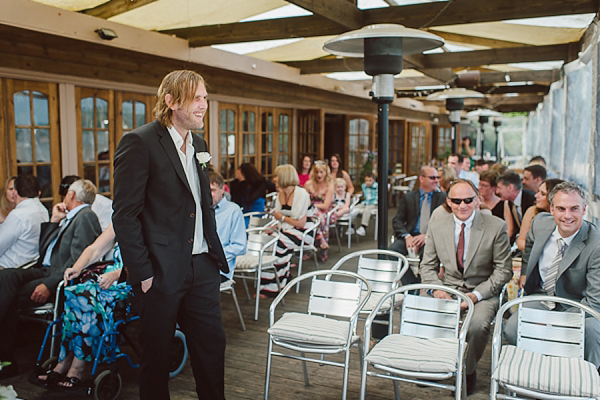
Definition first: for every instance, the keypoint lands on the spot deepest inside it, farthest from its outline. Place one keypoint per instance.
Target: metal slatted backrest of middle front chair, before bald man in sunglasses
(429, 317)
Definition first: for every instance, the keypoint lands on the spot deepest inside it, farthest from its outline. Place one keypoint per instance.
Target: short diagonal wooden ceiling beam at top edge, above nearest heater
(339, 11)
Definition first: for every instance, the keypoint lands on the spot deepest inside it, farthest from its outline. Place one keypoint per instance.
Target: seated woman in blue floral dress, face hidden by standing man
(88, 313)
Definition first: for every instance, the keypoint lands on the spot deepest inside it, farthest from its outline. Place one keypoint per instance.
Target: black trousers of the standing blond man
(197, 309)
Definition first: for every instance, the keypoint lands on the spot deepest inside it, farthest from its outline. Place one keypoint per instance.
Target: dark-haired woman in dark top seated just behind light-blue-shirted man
(249, 189)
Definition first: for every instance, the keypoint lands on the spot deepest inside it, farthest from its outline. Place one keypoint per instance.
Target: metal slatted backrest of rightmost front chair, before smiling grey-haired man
(553, 333)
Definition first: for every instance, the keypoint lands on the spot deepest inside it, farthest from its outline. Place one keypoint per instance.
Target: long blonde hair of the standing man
(182, 86)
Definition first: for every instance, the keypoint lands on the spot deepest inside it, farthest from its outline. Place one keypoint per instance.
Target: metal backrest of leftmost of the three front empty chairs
(334, 298)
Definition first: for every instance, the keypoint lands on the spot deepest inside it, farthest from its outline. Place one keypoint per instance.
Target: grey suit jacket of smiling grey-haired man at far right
(579, 271)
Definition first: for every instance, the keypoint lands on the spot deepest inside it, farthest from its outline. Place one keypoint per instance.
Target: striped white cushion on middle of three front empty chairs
(416, 354)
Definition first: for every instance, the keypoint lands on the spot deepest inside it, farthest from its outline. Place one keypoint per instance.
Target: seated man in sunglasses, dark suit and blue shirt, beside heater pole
(412, 219)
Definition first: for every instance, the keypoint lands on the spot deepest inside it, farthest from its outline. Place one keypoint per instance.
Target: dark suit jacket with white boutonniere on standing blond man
(154, 210)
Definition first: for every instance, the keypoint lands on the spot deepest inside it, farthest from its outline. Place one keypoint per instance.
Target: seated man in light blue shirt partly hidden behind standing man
(231, 227)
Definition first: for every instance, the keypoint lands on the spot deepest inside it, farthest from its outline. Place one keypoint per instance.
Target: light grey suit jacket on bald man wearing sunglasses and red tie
(488, 263)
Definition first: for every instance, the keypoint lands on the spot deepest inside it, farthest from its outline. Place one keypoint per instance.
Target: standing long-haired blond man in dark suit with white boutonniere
(165, 225)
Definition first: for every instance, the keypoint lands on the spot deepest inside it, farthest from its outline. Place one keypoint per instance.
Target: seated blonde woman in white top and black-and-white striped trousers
(291, 208)
